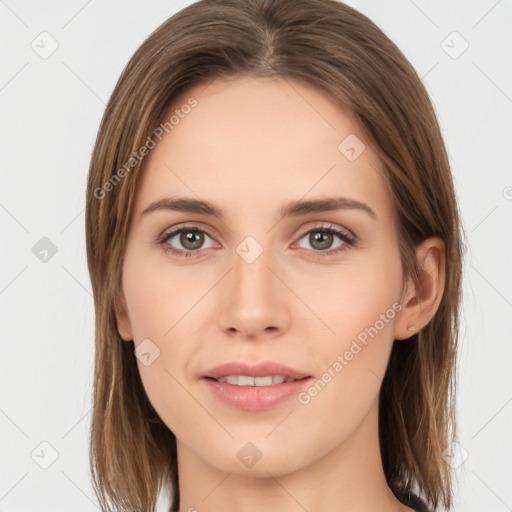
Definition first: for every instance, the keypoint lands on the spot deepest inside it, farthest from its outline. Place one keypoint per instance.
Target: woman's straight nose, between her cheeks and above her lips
(253, 302)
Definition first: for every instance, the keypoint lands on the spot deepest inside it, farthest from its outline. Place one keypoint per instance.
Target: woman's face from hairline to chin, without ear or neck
(316, 290)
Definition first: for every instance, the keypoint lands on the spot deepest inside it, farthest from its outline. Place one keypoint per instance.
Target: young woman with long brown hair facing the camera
(275, 255)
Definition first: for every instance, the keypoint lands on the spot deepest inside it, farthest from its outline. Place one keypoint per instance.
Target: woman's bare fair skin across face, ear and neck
(251, 146)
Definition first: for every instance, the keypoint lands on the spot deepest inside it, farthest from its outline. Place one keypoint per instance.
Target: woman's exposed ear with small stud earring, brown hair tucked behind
(420, 302)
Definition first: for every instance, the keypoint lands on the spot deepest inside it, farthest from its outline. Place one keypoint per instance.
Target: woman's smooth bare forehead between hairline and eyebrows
(249, 140)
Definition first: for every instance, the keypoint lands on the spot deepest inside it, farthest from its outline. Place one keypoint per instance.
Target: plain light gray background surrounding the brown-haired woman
(50, 112)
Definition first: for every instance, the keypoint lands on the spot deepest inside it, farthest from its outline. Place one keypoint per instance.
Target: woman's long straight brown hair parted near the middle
(333, 47)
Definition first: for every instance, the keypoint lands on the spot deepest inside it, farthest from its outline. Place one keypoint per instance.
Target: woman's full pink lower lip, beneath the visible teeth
(255, 398)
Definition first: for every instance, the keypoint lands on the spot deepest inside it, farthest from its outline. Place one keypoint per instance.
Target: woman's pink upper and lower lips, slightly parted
(255, 398)
